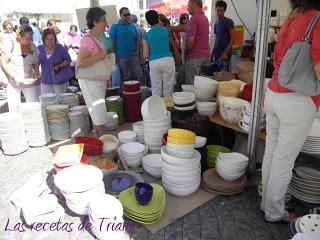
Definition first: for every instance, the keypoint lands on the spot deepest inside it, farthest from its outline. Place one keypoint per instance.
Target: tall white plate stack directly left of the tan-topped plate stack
(36, 124)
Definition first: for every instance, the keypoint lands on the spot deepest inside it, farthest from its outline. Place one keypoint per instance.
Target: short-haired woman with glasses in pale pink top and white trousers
(92, 50)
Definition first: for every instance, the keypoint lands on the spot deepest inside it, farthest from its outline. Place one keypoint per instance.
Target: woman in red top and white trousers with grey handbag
(289, 115)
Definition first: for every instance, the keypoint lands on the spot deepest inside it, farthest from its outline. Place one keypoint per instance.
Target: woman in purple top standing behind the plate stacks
(55, 64)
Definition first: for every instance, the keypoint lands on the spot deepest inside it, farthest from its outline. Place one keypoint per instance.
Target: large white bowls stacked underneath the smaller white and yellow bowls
(180, 176)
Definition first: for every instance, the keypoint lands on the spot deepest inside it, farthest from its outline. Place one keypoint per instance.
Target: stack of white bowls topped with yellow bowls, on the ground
(181, 168)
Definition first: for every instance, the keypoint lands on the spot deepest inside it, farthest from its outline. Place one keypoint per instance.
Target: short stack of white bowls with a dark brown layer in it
(184, 101)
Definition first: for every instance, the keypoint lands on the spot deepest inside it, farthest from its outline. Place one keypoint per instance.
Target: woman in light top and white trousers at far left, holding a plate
(20, 64)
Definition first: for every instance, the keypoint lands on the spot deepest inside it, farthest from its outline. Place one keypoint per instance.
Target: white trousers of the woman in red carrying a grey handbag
(289, 120)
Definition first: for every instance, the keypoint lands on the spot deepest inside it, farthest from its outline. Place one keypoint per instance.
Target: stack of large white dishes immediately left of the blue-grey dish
(79, 184)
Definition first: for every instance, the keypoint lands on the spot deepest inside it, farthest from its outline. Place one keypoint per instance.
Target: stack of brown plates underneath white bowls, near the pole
(212, 182)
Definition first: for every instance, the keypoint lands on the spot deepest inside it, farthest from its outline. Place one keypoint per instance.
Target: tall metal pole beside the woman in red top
(259, 77)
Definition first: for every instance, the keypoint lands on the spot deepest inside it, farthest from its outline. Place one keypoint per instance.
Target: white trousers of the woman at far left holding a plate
(14, 96)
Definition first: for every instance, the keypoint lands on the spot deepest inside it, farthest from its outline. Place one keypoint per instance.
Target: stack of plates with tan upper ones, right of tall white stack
(58, 121)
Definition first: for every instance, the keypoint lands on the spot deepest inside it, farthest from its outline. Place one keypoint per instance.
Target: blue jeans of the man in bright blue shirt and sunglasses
(131, 66)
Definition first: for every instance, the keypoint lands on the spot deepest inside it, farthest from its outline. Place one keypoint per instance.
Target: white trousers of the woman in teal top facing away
(162, 74)
